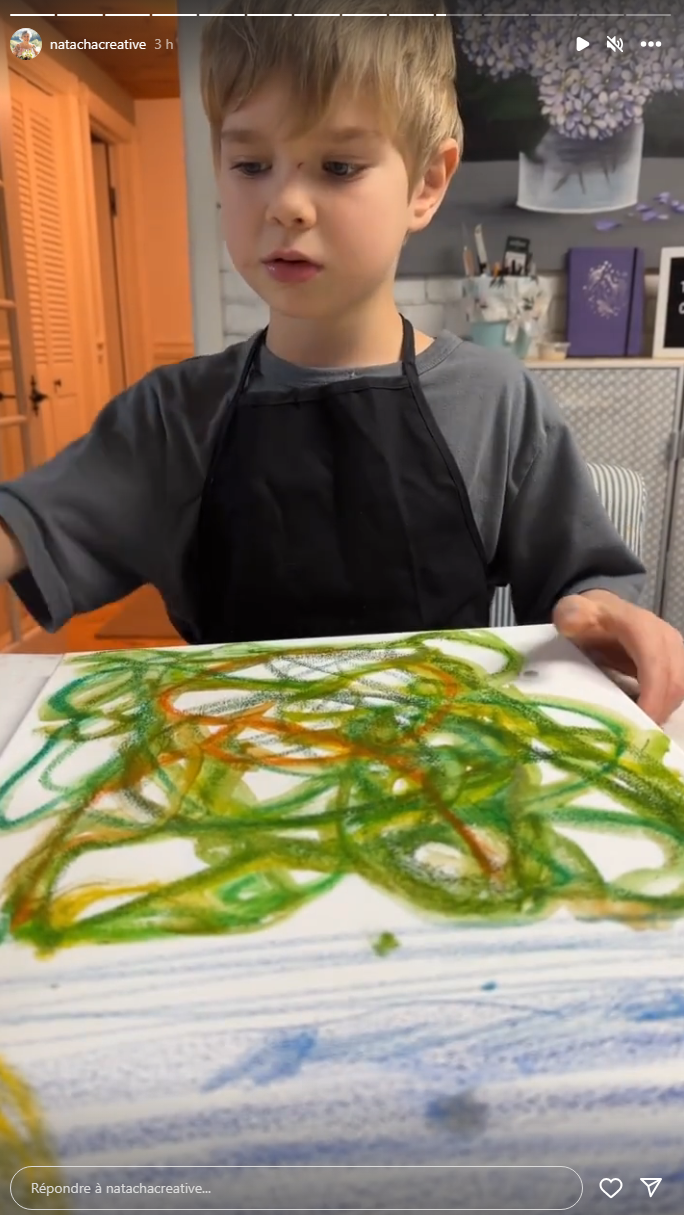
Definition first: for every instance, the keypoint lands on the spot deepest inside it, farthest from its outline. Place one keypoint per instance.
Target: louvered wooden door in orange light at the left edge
(39, 152)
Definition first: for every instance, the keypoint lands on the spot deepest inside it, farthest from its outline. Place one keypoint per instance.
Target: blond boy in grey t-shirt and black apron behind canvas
(341, 474)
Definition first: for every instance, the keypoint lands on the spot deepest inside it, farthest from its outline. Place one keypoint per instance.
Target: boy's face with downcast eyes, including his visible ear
(337, 195)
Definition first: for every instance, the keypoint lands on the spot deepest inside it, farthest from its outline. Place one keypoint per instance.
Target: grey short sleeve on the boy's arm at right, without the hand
(557, 539)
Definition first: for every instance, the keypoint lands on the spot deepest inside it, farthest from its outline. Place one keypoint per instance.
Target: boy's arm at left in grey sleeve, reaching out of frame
(100, 519)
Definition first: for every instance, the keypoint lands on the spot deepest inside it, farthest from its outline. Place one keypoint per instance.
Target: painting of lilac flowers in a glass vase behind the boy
(567, 148)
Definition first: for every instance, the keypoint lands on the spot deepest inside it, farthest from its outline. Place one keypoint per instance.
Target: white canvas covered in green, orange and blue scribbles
(366, 924)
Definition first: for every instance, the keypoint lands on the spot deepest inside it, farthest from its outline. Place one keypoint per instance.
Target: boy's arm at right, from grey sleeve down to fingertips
(569, 564)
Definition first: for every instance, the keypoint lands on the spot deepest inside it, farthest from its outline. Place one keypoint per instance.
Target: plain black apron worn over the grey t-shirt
(336, 511)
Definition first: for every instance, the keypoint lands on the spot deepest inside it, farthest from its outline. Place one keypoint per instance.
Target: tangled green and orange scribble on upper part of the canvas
(287, 768)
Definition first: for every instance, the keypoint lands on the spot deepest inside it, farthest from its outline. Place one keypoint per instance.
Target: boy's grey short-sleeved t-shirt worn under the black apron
(120, 508)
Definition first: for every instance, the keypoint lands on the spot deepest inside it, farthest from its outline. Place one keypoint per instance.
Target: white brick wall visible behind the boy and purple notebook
(431, 304)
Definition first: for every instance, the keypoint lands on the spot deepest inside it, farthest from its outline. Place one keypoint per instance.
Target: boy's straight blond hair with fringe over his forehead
(405, 63)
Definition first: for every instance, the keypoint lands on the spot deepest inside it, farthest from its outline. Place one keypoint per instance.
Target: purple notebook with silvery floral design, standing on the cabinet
(606, 303)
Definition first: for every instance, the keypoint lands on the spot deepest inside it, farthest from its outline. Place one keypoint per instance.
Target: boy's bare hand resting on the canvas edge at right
(620, 636)
